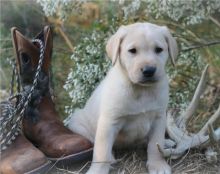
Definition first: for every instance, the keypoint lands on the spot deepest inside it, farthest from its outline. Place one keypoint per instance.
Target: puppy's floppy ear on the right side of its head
(172, 45)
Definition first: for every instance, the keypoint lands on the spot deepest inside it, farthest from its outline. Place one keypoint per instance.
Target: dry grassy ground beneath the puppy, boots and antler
(134, 162)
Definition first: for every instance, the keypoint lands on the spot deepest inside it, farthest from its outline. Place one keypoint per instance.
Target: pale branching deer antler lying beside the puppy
(177, 129)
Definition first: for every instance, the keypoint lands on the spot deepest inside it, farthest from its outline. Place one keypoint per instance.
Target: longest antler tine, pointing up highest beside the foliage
(181, 122)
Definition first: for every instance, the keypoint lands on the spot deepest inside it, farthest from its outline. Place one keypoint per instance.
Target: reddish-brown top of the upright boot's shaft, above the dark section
(27, 53)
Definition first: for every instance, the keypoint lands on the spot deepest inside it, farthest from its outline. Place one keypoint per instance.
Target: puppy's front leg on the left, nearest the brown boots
(106, 133)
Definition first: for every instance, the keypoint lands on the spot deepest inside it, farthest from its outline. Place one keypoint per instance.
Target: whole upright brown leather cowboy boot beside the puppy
(41, 124)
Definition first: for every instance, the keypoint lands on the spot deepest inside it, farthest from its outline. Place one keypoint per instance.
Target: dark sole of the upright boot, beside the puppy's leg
(74, 158)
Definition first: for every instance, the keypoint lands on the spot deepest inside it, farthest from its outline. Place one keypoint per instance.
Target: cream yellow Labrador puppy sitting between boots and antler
(130, 104)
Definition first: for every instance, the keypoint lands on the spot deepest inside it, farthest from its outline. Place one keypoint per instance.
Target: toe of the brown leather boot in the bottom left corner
(22, 157)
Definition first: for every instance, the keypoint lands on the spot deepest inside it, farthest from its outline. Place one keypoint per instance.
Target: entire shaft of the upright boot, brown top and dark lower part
(27, 56)
